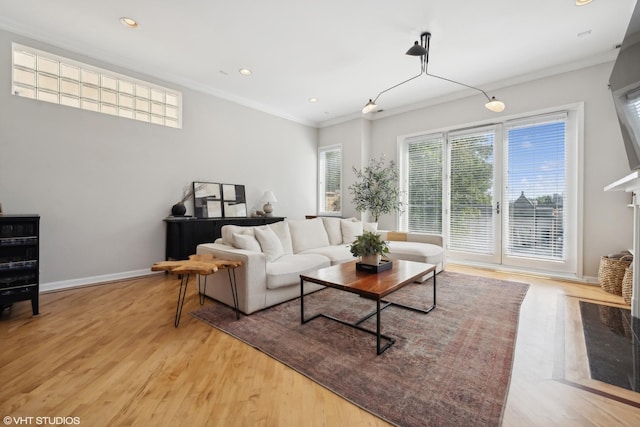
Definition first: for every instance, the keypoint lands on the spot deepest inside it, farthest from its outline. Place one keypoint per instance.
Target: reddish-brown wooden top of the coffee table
(377, 285)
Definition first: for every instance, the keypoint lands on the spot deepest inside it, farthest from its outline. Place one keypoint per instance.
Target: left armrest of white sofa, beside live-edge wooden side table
(251, 277)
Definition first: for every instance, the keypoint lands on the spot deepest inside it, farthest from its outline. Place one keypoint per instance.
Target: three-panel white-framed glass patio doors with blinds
(500, 194)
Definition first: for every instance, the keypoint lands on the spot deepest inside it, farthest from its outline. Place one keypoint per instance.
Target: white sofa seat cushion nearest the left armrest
(287, 269)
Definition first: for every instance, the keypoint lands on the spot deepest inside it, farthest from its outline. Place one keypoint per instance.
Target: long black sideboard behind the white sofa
(184, 234)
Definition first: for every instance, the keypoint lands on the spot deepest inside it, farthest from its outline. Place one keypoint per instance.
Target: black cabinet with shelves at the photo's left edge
(20, 259)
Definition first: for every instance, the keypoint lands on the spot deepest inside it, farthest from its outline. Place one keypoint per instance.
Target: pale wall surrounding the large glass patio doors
(607, 223)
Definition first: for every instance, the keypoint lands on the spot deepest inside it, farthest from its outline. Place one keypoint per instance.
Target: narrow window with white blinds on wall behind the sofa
(330, 180)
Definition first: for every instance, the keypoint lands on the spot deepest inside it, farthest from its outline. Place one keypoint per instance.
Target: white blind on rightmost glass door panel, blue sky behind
(535, 187)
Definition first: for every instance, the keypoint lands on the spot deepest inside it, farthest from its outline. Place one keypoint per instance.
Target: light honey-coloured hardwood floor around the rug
(110, 355)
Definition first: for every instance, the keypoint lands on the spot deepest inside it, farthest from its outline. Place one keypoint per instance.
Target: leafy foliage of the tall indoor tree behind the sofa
(376, 189)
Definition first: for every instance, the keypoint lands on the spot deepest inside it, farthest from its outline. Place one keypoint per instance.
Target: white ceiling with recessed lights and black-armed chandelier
(341, 52)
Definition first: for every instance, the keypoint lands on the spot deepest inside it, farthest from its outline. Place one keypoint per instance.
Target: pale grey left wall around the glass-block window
(103, 184)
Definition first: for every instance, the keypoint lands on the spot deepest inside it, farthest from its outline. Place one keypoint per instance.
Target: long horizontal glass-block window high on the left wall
(46, 77)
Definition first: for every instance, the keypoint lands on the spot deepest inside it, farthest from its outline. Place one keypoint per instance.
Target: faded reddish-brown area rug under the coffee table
(450, 367)
